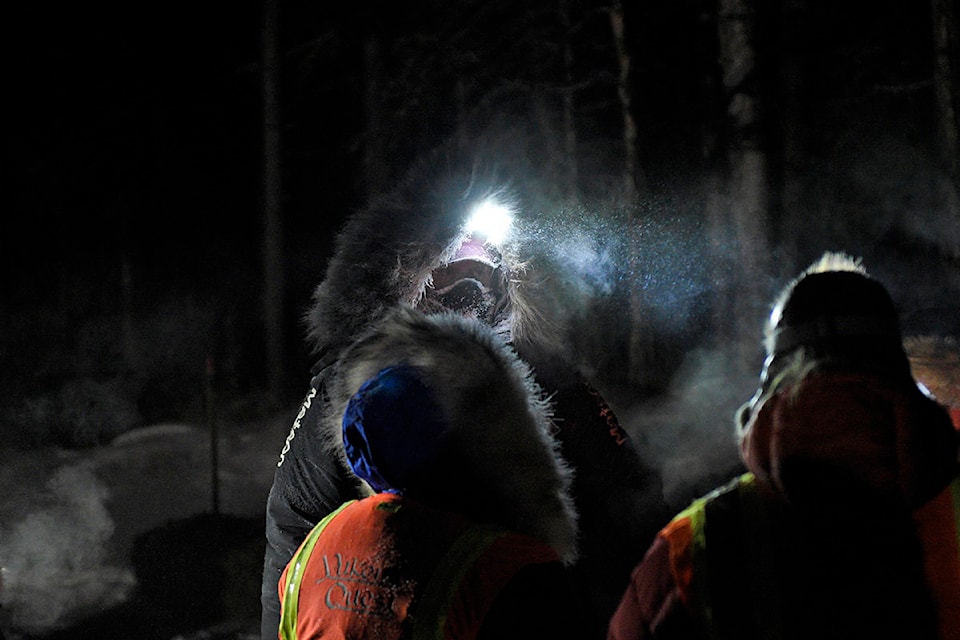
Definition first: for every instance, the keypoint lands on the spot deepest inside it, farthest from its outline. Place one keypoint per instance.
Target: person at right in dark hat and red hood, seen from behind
(845, 525)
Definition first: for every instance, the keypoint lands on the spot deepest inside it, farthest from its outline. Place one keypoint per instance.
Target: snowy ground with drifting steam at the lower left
(72, 524)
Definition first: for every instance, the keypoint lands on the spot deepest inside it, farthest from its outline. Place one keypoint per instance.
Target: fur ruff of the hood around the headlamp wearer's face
(385, 254)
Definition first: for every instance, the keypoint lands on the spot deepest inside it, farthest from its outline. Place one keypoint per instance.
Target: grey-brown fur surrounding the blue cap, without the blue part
(497, 460)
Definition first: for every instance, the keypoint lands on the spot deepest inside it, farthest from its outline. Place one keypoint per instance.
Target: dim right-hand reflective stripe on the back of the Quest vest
(445, 581)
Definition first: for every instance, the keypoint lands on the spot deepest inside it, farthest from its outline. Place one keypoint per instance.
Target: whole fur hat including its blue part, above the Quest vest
(447, 411)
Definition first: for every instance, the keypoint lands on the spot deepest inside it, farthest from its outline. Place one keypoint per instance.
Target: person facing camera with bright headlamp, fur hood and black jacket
(415, 248)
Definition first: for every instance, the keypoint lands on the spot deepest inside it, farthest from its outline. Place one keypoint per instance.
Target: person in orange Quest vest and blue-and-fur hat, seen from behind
(467, 520)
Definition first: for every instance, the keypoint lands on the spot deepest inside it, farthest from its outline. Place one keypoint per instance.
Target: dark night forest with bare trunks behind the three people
(179, 170)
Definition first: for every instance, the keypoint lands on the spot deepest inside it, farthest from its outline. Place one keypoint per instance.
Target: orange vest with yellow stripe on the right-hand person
(748, 525)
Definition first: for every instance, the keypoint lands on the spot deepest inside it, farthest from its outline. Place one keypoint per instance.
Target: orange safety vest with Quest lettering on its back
(386, 567)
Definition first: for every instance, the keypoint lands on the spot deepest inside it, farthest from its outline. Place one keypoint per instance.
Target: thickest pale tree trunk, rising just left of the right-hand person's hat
(747, 187)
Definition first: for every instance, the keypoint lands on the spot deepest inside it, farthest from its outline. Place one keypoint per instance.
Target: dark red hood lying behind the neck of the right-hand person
(835, 435)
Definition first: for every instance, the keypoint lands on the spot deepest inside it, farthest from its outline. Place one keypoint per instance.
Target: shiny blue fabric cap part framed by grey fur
(392, 429)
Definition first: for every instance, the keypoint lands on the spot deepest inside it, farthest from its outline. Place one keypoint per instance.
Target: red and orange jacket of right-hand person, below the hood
(717, 571)
